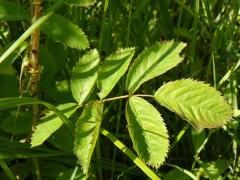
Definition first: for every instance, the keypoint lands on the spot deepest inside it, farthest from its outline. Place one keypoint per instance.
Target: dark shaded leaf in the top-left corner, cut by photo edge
(12, 12)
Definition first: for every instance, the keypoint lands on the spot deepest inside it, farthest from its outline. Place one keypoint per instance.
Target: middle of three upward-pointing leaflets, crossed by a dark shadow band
(112, 69)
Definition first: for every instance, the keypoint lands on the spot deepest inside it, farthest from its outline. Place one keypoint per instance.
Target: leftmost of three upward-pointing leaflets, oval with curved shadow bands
(84, 76)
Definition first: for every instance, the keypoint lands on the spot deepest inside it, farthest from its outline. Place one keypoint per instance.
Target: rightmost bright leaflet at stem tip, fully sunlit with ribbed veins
(198, 103)
